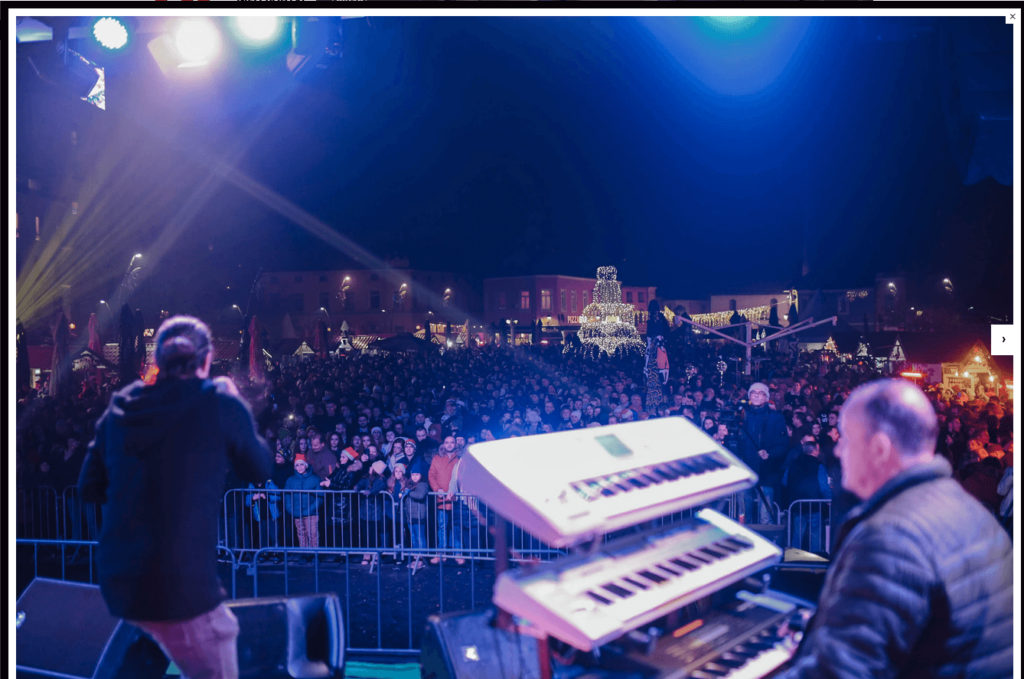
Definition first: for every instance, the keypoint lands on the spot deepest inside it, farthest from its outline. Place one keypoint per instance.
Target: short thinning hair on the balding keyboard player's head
(886, 411)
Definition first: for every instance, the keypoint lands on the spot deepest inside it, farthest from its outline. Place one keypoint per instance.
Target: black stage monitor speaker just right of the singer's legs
(290, 638)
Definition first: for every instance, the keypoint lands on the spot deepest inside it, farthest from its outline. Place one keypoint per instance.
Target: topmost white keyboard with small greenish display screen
(570, 487)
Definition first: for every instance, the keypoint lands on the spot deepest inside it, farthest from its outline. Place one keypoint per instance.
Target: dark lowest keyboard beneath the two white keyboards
(749, 639)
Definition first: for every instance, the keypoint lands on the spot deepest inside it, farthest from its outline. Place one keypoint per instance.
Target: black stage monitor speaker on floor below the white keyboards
(467, 646)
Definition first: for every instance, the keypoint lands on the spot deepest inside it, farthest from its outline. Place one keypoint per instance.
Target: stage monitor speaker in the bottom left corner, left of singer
(65, 630)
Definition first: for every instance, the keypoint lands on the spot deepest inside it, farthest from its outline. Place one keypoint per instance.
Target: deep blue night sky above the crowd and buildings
(696, 157)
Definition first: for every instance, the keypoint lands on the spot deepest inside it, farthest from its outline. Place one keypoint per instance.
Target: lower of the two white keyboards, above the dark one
(589, 600)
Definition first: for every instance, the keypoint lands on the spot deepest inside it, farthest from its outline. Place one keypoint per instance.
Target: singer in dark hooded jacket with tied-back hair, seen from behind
(158, 465)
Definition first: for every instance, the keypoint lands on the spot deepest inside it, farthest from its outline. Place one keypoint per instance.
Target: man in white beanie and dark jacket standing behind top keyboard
(763, 445)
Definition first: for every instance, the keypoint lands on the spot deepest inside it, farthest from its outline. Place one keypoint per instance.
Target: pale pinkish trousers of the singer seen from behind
(204, 648)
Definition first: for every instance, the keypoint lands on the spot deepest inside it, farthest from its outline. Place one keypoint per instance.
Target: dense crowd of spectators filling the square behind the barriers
(396, 426)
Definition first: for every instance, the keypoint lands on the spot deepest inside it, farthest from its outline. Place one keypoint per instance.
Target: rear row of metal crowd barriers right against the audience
(441, 526)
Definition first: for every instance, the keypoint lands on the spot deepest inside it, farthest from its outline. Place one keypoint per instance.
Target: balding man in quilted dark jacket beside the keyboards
(922, 582)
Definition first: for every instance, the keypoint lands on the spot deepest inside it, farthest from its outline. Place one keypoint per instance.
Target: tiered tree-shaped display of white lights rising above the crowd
(608, 325)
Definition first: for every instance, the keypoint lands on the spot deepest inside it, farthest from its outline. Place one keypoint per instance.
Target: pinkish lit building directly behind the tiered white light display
(557, 303)
